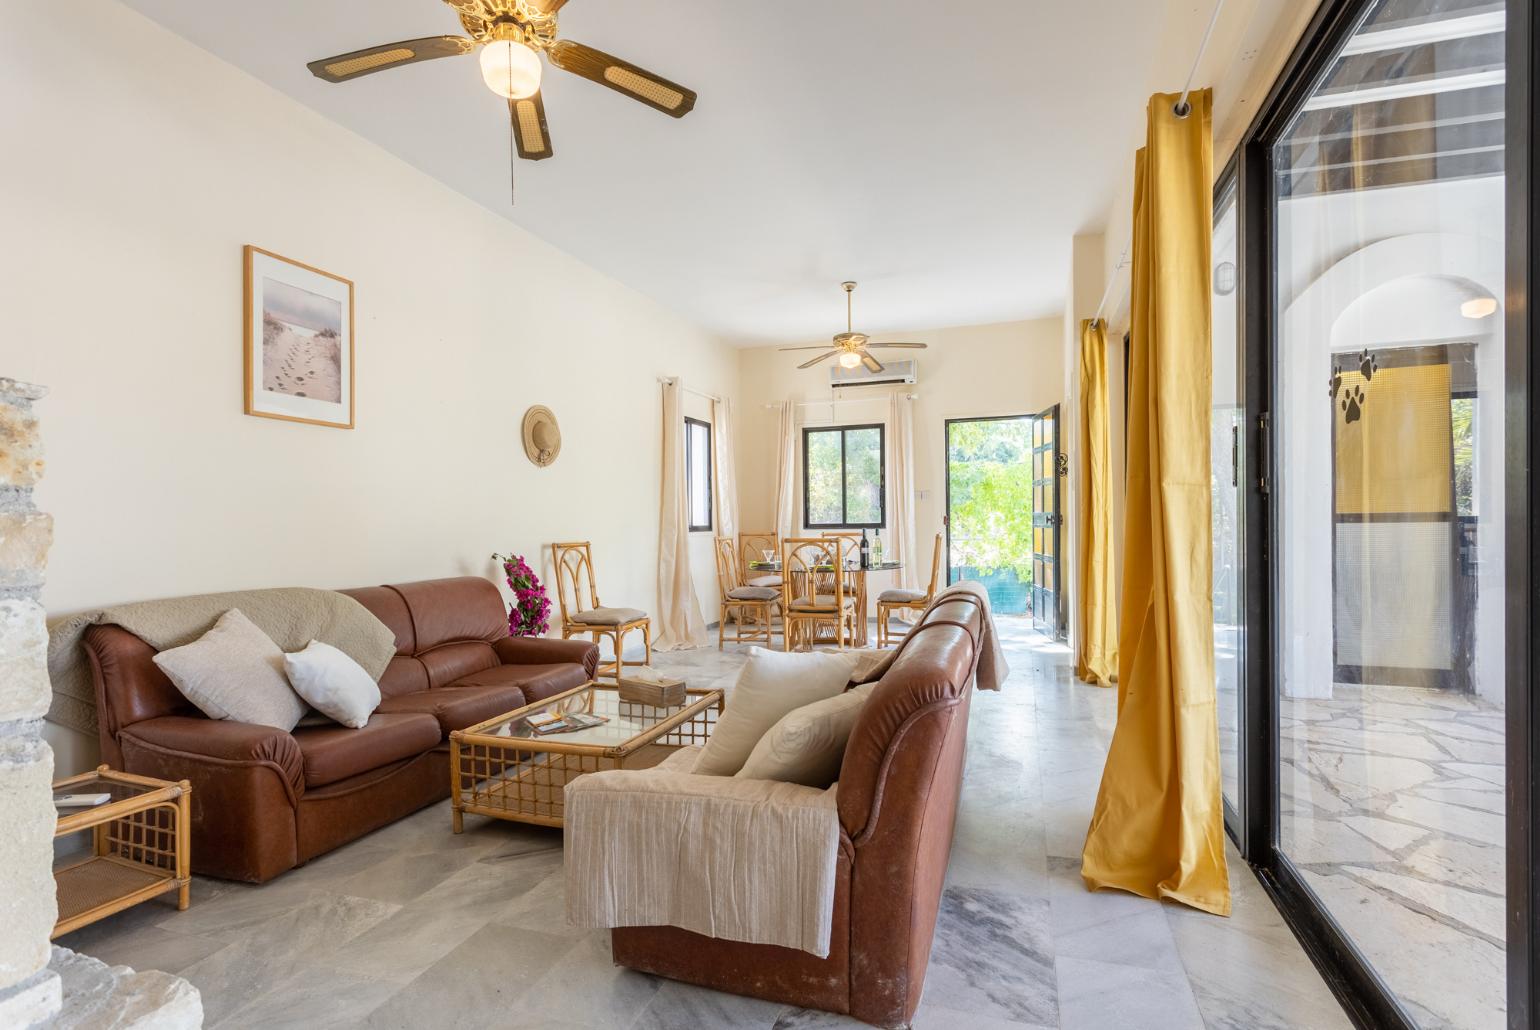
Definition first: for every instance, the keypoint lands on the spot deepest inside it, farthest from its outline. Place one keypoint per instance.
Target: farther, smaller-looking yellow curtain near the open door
(1097, 646)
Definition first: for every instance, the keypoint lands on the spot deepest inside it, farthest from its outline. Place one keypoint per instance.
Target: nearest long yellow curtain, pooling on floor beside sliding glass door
(1159, 828)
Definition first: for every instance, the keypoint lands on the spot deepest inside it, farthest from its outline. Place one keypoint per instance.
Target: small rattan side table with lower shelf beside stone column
(139, 846)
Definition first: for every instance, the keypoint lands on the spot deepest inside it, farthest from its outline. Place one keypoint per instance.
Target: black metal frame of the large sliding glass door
(1364, 995)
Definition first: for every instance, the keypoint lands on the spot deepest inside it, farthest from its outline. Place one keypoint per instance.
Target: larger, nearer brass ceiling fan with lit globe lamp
(512, 35)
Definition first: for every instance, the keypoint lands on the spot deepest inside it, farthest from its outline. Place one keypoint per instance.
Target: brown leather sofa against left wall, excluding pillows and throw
(266, 801)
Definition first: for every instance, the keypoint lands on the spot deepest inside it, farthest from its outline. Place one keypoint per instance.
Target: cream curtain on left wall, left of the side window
(678, 623)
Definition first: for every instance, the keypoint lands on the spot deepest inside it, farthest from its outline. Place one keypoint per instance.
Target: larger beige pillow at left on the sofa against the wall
(235, 672)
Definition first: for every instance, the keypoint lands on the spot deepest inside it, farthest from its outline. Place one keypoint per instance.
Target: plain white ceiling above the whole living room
(942, 155)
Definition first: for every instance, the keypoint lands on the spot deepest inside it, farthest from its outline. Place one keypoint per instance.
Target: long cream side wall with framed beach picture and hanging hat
(136, 169)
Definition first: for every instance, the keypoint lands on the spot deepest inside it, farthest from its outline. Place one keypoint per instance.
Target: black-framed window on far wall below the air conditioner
(843, 478)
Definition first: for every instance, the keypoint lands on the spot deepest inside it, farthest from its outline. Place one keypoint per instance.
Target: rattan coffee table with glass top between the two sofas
(507, 771)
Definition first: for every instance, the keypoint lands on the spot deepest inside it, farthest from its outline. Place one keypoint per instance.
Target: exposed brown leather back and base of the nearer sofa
(897, 797)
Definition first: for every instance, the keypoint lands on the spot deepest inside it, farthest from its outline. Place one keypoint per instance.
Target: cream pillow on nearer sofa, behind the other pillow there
(771, 686)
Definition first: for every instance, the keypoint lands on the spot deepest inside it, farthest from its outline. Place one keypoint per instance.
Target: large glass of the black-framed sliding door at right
(1381, 178)
